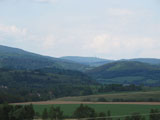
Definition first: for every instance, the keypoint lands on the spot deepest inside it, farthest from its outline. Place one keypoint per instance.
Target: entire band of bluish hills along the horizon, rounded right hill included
(126, 71)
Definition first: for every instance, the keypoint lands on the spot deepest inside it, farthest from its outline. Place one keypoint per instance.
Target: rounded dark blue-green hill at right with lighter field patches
(127, 72)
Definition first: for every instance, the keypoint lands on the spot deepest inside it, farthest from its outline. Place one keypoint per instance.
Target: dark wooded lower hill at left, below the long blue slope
(42, 84)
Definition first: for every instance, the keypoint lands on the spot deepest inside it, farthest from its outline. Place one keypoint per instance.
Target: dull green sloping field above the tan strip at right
(139, 96)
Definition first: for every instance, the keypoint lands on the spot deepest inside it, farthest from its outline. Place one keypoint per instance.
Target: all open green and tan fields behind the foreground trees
(69, 104)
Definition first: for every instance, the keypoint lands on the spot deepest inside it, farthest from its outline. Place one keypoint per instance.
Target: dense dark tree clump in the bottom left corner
(8, 112)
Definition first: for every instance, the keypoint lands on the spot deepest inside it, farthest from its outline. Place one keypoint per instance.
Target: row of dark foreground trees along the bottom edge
(27, 112)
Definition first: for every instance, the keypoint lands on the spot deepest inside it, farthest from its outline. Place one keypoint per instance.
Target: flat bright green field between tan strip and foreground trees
(116, 109)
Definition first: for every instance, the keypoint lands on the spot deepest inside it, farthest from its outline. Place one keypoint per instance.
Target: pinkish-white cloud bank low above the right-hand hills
(123, 46)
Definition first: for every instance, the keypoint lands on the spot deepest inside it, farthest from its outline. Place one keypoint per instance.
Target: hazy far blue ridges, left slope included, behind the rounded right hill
(20, 59)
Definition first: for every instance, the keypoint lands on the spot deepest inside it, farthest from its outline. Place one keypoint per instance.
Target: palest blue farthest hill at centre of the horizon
(91, 61)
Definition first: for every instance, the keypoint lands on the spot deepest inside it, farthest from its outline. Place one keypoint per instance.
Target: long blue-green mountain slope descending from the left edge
(20, 59)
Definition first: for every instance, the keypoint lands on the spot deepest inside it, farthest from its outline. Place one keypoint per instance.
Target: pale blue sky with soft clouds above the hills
(111, 29)
